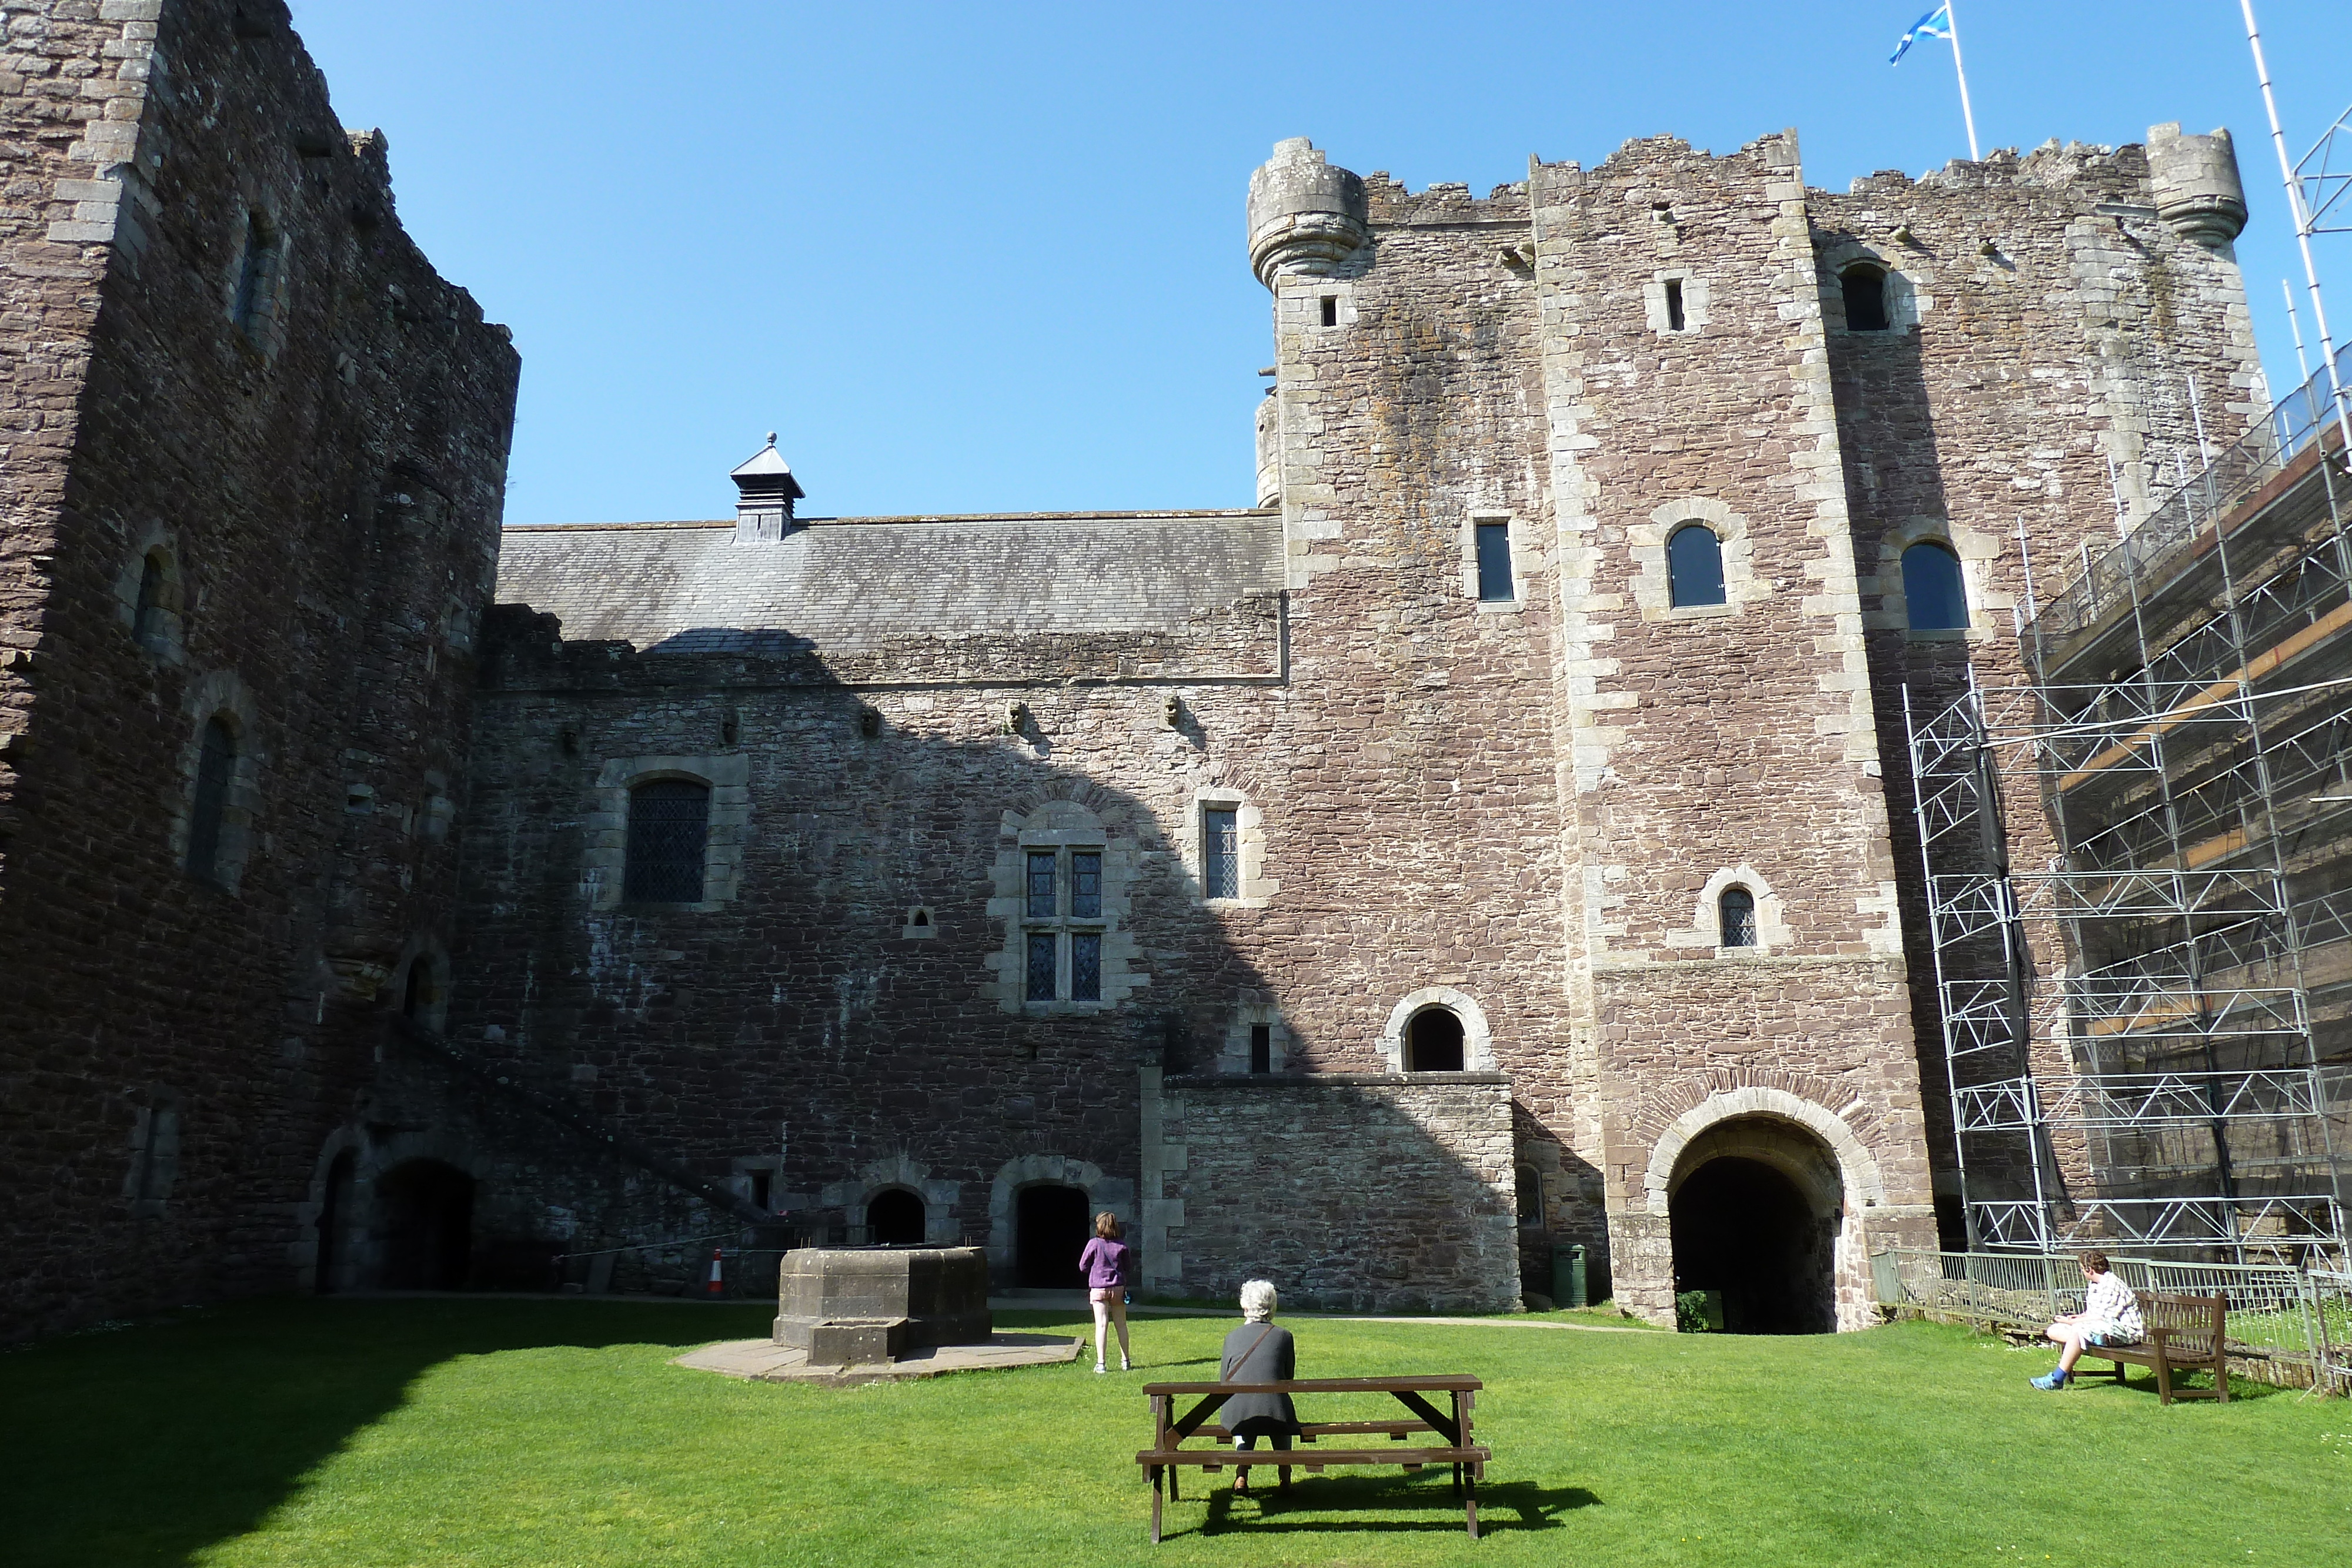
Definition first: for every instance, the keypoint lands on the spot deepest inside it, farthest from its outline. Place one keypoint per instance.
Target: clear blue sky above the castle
(991, 257)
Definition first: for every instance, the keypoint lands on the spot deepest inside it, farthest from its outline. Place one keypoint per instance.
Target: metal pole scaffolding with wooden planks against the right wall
(2151, 1036)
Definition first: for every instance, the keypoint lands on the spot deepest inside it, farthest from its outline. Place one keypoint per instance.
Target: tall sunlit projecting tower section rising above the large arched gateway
(1723, 744)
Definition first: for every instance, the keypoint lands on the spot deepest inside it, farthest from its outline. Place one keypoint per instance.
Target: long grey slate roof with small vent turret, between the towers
(860, 584)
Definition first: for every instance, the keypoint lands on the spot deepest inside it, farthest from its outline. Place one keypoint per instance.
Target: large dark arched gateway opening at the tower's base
(1756, 1209)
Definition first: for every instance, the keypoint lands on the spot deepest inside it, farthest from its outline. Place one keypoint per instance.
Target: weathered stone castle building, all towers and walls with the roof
(253, 476)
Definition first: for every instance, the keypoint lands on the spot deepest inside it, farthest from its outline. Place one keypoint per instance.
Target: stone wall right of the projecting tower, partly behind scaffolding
(2066, 356)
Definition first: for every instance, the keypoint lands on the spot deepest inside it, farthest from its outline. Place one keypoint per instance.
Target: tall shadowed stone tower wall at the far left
(316, 469)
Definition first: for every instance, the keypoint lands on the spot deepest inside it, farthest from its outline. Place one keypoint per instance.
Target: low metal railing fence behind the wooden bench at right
(2299, 1322)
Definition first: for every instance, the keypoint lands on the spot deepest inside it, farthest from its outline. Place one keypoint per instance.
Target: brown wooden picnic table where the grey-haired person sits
(1168, 1454)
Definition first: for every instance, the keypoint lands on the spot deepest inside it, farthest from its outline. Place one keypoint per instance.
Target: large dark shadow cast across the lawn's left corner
(163, 1440)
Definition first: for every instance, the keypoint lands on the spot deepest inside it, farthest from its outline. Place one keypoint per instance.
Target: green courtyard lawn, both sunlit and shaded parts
(354, 1433)
